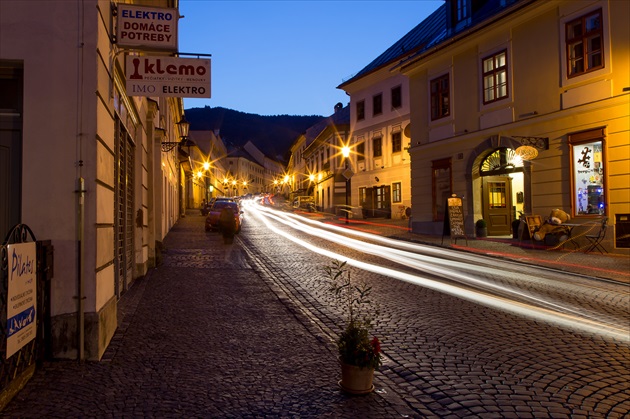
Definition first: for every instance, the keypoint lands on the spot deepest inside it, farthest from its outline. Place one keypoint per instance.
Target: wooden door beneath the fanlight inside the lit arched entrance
(497, 205)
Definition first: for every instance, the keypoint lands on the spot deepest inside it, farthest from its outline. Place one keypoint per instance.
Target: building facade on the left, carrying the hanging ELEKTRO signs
(83, 161)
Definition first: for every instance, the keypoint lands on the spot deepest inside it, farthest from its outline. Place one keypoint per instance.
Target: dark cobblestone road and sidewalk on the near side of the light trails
(246, 330)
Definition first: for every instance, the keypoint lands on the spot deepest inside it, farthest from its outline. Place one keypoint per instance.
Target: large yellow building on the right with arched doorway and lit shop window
(523, 106)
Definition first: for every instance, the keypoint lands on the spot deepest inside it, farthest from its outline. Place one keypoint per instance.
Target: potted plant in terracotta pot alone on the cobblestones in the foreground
(359, 352)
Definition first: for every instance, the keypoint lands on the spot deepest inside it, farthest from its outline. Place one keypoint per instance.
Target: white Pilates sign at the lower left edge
(21, 296)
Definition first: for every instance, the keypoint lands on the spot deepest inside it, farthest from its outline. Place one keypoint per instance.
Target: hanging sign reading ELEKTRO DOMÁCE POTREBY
(147, 27)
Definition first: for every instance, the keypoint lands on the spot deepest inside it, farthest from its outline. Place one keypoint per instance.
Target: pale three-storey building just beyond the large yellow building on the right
(380, 138)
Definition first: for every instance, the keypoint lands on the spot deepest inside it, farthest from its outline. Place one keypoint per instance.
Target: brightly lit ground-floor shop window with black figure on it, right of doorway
(587, 161)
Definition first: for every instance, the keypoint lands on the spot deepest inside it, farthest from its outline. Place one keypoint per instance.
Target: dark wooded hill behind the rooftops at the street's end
(273, 135)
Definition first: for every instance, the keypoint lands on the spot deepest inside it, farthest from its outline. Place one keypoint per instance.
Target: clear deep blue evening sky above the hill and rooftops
(289, 56)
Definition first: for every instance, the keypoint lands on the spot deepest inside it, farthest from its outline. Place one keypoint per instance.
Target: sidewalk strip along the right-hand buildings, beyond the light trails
(594, 264)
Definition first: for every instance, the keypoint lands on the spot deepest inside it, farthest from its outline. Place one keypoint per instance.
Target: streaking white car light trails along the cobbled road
(449, 269)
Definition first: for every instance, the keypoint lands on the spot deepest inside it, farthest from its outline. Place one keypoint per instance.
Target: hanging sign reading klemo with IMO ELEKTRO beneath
(167, 77)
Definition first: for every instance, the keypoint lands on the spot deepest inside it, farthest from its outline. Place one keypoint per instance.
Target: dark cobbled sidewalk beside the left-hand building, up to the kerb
(202, 335)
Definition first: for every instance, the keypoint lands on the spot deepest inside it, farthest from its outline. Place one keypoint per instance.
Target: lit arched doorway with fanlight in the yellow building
(502, 194)
